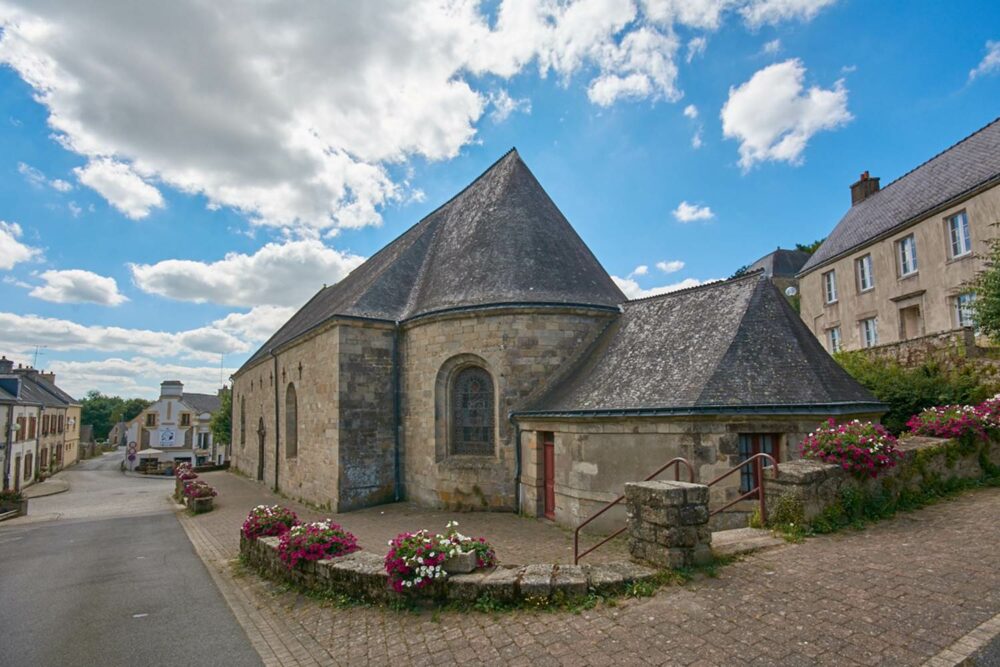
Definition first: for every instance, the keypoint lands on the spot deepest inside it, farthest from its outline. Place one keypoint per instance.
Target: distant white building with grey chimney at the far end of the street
(177, 425)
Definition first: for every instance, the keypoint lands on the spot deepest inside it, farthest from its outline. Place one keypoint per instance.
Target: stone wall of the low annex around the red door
(596, 457)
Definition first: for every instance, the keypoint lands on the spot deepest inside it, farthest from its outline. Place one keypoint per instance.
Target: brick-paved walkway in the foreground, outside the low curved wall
(900, 592)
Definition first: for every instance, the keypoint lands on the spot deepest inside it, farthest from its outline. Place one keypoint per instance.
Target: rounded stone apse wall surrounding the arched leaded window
(520, 349)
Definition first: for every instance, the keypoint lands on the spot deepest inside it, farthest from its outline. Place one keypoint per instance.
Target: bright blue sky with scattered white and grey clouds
(176, 179)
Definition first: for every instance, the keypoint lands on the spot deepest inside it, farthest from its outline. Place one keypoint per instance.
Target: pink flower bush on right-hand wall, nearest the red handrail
(861, 448)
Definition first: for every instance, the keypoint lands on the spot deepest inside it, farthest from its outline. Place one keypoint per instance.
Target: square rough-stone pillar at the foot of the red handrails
(668, 523)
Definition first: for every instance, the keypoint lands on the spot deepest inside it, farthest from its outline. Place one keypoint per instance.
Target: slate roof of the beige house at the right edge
(970, 163)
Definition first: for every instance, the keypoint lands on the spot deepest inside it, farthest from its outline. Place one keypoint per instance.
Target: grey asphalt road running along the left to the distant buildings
(105, 575)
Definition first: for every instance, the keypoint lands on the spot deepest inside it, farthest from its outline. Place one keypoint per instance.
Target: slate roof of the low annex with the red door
(728, 346)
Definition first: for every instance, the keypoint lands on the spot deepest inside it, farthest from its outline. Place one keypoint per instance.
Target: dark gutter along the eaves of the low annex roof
(777, 409)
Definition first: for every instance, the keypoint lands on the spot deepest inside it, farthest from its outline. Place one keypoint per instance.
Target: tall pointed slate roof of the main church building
(501, 240)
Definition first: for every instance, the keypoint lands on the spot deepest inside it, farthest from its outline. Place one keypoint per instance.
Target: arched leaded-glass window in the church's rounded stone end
(472, 412)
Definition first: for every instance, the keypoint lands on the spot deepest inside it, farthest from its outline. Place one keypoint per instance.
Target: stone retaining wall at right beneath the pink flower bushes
(805, 490)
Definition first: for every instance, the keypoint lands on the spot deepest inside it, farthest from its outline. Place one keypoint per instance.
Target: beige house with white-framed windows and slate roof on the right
(897, 265)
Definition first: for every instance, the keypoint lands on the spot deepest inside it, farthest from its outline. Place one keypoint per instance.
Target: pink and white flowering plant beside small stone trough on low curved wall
(416, 559)
